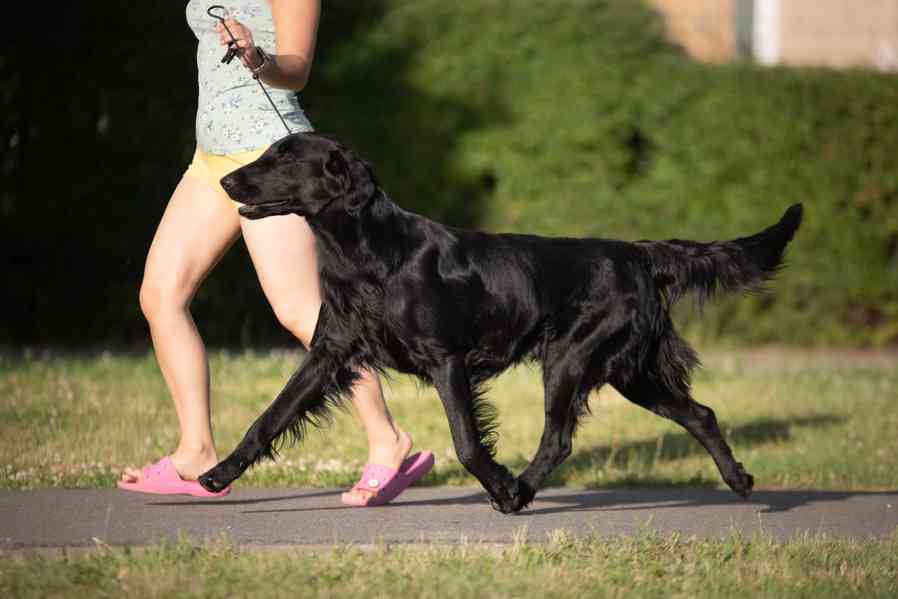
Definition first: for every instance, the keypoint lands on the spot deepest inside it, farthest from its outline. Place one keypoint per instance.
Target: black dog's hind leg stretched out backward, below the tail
(669, 397)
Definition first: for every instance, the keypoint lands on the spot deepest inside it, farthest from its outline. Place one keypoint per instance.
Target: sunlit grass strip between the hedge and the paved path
(796, 420)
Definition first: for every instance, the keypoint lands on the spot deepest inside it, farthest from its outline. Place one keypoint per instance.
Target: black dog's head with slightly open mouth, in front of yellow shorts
(304, 174)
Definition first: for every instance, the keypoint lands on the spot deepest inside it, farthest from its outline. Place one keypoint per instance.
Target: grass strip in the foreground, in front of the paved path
(645, 566)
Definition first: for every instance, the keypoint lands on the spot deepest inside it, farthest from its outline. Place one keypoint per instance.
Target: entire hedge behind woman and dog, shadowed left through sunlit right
(572, 117)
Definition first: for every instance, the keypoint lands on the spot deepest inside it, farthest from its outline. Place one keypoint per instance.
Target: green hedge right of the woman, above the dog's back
(576, 117)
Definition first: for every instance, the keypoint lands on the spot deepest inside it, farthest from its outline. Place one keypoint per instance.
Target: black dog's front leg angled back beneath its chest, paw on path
(453, 384)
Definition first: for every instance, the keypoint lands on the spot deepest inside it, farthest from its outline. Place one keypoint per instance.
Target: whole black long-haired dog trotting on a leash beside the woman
(458, 307)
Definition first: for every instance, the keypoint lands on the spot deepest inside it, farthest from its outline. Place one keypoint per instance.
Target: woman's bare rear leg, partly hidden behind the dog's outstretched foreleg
(283, 252)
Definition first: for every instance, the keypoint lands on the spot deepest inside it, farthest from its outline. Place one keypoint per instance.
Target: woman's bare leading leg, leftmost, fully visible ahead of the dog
(198, 227)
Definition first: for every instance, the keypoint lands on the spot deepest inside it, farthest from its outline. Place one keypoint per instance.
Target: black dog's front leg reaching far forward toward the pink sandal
(320, 379)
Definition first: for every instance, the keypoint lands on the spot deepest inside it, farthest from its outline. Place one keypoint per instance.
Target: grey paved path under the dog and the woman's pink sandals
(82, 518)
